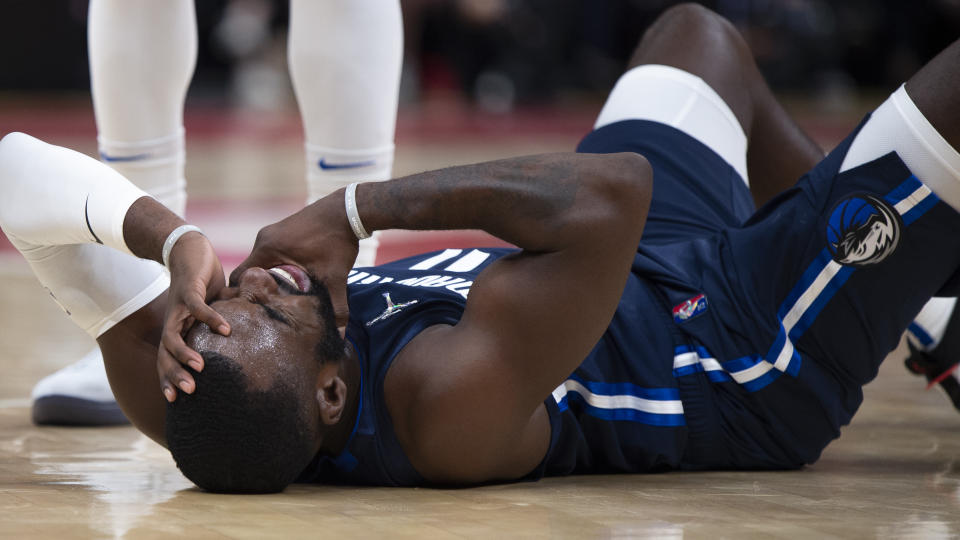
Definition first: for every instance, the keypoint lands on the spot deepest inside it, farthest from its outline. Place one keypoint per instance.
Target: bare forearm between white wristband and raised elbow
(539, 203)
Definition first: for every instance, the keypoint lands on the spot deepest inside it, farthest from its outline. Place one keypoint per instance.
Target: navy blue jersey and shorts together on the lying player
(742, 338)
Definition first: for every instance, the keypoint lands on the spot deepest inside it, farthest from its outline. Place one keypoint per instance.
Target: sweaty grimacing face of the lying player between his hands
(276, 323)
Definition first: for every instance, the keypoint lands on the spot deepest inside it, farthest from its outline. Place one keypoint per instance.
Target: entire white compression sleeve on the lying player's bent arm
(56, 204)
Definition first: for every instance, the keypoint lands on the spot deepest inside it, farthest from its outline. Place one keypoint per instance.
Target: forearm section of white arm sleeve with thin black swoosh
(55, 196)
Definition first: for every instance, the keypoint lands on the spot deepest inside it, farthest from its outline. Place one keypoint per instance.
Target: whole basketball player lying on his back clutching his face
(729, 339)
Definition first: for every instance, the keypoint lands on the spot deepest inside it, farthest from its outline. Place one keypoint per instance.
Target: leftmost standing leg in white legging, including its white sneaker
(142, 56)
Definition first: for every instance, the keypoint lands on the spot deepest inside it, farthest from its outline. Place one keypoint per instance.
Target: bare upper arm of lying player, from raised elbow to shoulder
(530, 320)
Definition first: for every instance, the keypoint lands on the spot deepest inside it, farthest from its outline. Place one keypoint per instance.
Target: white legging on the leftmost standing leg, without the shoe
(142, 57)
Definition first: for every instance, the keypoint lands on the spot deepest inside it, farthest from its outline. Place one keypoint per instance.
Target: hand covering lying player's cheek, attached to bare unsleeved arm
(319, 240)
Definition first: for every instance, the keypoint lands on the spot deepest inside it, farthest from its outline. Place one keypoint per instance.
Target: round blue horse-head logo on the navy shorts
(863, 230)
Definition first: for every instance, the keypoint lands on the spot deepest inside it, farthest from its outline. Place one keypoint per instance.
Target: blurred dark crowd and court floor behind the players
(482, 79)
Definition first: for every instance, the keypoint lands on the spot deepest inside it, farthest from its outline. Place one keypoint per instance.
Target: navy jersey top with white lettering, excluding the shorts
(620, 410)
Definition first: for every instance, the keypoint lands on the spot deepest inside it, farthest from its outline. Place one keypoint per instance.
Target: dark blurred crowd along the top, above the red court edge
(498, 55)
